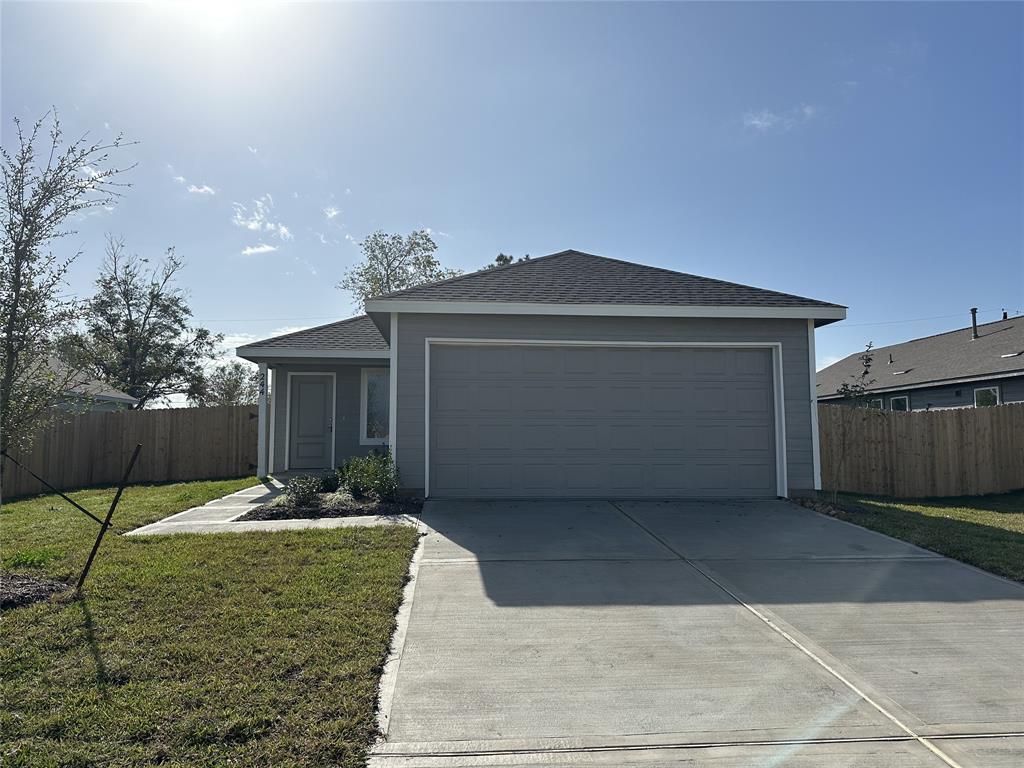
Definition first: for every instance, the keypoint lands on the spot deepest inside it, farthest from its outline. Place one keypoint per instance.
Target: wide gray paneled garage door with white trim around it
(588, 421)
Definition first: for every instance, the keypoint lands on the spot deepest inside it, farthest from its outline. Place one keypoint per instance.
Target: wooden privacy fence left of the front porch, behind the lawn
(92, 449)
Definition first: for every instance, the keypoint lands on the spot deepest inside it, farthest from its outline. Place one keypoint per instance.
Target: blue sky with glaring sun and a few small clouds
(871, 155)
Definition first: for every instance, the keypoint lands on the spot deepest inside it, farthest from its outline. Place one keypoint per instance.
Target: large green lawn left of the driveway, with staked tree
(242, 650)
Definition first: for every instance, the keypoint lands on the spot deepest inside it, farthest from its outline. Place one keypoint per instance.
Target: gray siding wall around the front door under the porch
(347, 429)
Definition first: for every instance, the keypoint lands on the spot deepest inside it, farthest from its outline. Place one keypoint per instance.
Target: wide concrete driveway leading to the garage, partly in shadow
(697, 633)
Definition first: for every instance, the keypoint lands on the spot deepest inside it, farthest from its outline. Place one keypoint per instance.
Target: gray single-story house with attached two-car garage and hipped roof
(565, 376)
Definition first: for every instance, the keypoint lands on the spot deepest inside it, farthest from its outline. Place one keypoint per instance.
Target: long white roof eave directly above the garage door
(822, 315)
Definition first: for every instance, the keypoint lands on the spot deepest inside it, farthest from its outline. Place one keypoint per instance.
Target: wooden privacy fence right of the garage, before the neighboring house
(962, 452)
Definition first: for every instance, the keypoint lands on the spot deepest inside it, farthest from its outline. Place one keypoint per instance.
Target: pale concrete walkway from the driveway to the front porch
(221, 517)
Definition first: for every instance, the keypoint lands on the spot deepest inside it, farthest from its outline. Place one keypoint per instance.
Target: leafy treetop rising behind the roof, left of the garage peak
(394, 263)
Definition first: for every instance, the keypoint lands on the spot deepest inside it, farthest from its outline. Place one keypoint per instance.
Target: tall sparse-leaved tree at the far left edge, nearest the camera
(45, 182)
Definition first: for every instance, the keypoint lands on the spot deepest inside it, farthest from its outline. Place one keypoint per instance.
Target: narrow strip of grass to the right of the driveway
(984, 531)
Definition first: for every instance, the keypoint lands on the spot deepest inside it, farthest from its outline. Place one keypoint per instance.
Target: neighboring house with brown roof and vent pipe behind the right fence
(967, 368)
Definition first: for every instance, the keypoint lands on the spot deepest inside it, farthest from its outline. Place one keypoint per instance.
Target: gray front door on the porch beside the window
(311, 415)
